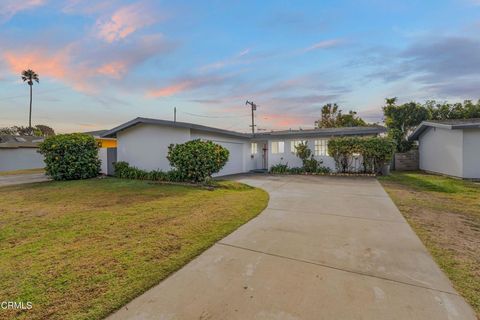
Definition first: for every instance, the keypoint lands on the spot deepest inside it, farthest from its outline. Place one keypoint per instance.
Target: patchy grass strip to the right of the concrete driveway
(445, 213)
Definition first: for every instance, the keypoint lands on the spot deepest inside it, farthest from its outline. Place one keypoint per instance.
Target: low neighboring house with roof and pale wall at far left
(20, 152)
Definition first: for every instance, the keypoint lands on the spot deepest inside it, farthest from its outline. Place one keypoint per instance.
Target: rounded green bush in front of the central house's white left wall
(197, 160)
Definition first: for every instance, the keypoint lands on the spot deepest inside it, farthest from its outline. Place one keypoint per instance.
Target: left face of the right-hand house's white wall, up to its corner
(441, 151)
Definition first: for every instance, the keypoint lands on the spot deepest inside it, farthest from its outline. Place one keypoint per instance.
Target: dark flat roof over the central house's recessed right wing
(323, 132)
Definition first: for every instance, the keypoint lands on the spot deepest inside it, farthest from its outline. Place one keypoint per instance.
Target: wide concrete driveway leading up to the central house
(325, 248)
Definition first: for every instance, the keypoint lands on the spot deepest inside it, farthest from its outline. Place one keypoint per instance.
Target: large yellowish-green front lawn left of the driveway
(81, 249)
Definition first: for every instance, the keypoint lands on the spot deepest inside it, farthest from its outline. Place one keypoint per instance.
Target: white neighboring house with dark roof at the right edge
(450, 147)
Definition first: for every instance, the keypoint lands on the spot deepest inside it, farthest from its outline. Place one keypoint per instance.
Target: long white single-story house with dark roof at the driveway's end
(144, 142)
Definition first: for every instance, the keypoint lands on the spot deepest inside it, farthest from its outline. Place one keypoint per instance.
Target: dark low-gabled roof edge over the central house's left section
(113, 132)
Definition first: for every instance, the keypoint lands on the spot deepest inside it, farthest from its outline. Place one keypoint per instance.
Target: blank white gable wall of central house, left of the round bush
(145, 146)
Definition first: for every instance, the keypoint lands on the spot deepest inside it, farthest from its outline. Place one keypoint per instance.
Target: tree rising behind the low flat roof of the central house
(332, 117)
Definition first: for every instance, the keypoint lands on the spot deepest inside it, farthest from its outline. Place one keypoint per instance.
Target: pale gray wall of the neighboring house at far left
(20, 158)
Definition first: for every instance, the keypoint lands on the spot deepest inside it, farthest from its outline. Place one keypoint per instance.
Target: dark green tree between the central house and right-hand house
(402, 119)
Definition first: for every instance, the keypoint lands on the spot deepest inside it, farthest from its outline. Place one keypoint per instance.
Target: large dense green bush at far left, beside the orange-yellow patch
(70, 156)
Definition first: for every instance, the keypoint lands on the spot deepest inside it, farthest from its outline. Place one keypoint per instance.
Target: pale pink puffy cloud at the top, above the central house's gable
(124, 22)
